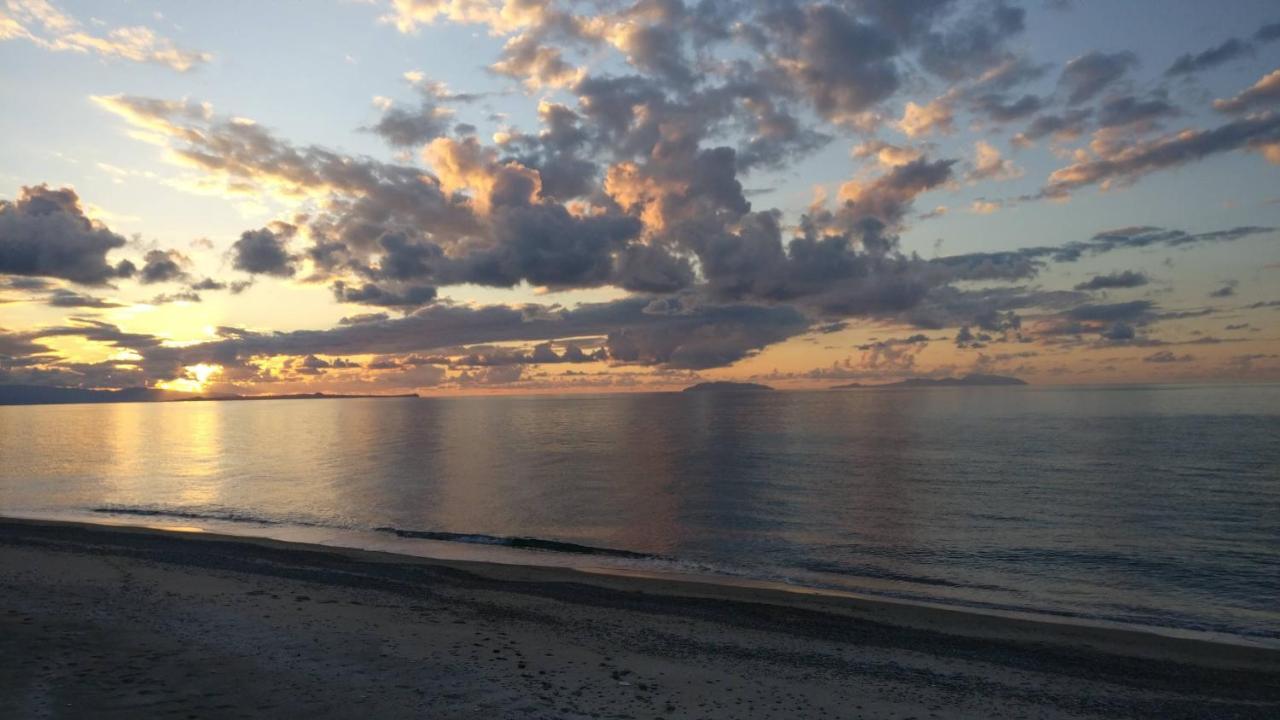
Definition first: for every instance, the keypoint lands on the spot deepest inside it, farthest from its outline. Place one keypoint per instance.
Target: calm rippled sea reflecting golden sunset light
(1142, 505)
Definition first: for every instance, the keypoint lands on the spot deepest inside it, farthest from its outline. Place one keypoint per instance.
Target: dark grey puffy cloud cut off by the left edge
(45, 234)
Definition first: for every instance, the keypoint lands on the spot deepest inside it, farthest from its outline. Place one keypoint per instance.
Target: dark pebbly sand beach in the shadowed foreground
(122, 623)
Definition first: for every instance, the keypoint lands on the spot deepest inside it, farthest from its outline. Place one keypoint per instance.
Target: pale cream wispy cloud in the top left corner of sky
(44, 25)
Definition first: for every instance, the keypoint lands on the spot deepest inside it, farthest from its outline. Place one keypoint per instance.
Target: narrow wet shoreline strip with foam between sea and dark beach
(1194, 648)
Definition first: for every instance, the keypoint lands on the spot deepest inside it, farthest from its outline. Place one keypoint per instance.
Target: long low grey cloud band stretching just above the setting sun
(674, 335)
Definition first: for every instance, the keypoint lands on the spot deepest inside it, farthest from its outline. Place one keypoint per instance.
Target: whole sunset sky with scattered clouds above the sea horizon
(463, 197)
